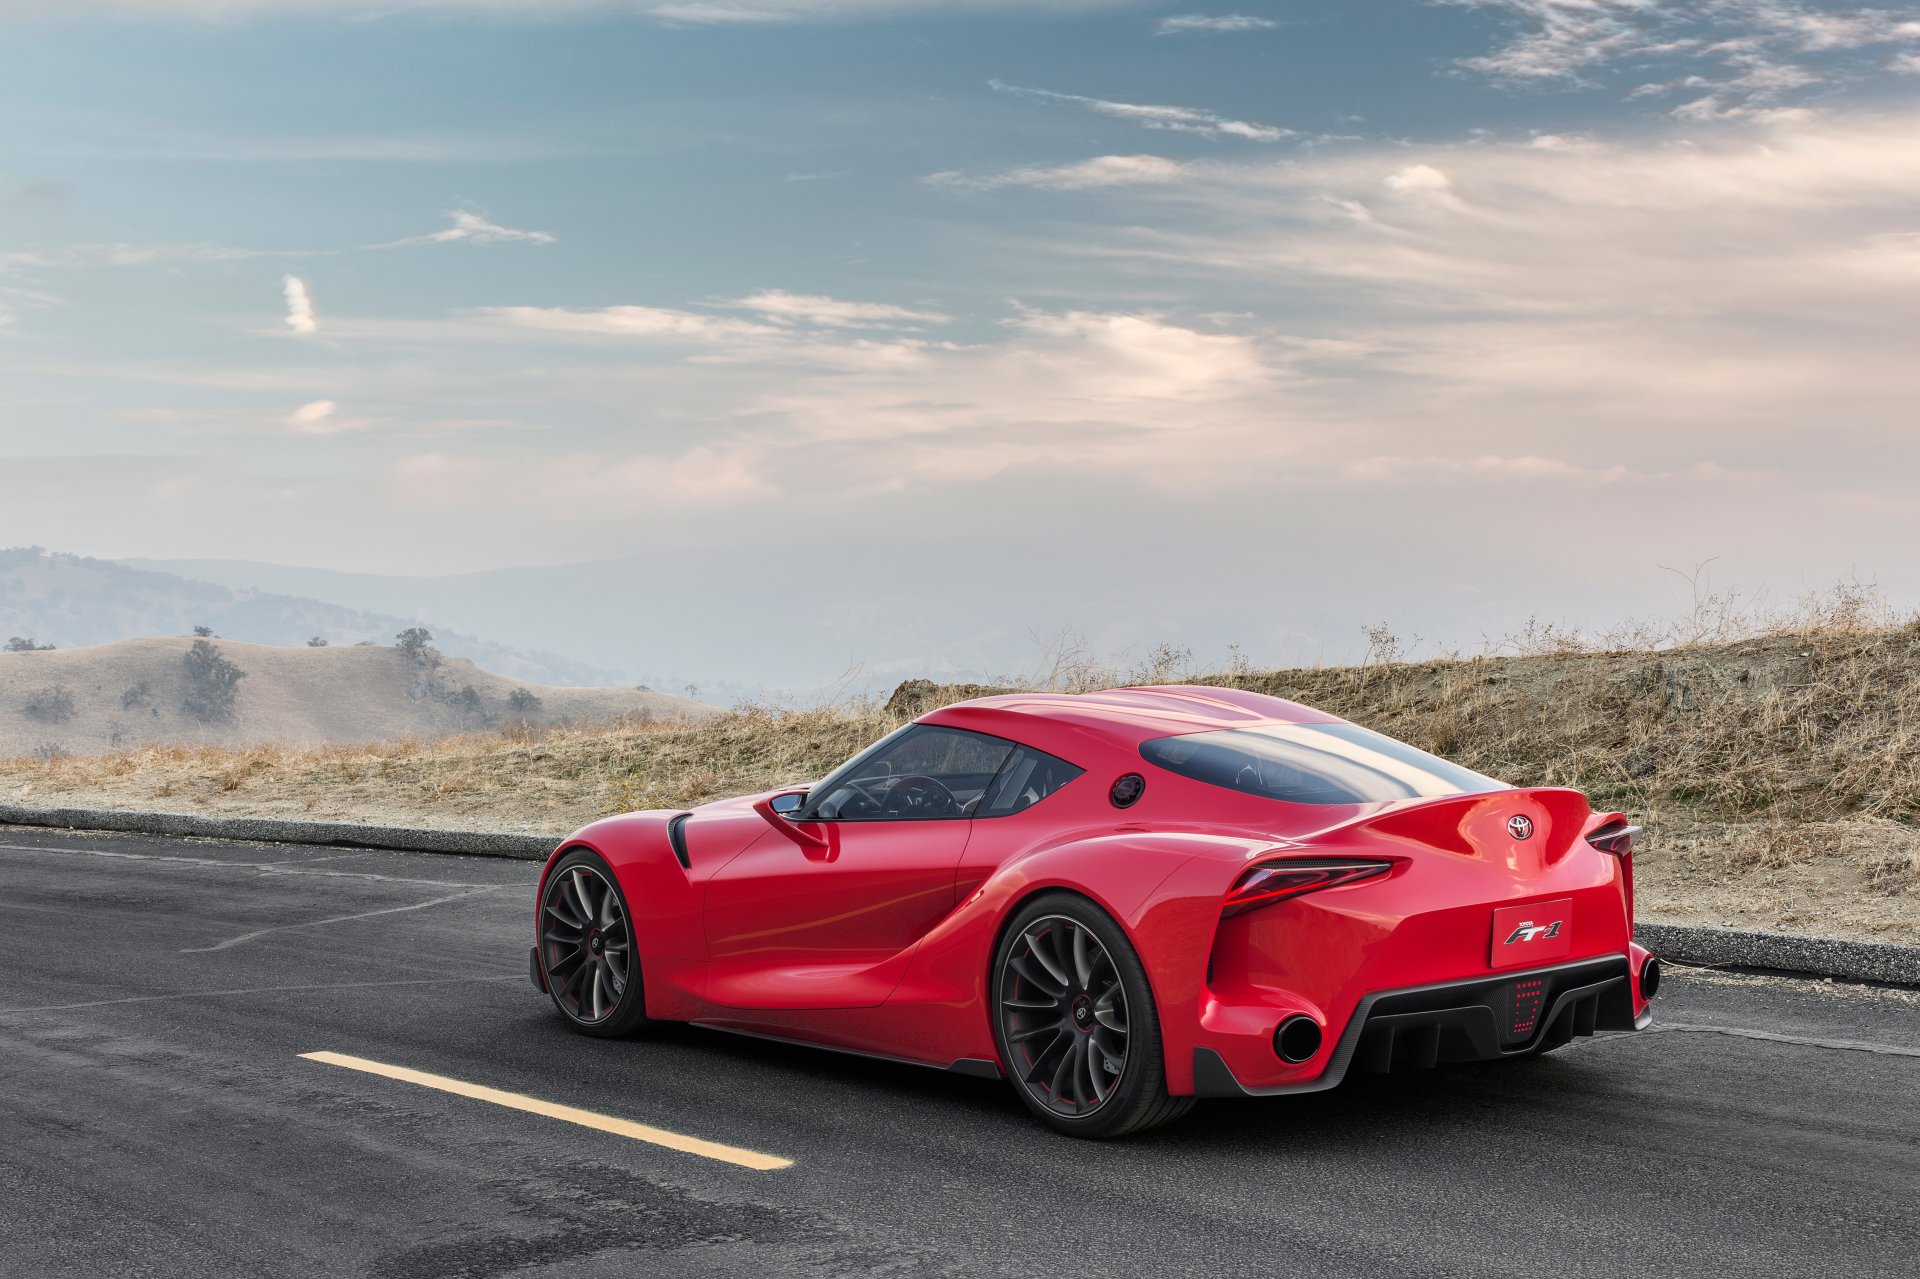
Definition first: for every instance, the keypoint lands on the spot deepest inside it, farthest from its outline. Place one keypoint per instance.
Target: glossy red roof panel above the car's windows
(1126, 715)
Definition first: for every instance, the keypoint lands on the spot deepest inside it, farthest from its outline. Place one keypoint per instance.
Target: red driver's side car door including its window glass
(832, 927)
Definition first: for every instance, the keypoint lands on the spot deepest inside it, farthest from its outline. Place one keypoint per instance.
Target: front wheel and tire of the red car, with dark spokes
(587, 950)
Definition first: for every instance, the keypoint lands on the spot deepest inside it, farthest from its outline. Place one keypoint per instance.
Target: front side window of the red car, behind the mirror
(913, 777)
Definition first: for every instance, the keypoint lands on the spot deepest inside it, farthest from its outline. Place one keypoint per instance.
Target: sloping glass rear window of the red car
(1314, 765)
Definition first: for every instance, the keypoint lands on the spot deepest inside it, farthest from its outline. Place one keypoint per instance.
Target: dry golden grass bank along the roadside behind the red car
(1779, 777)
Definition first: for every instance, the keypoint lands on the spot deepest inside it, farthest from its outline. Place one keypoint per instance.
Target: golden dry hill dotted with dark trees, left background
(137, 692)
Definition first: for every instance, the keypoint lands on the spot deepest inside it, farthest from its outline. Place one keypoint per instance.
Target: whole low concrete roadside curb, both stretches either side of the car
(1821, 957)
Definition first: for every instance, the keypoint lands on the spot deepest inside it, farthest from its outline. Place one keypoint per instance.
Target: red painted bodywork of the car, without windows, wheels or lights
(880, 938)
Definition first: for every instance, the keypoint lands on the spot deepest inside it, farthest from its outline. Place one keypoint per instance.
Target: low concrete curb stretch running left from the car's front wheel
(277, 831)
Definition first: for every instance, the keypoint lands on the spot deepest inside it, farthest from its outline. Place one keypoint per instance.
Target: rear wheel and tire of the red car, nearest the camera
(1067, 978)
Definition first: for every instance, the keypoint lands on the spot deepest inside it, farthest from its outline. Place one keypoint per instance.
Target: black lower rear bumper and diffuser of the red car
(1472, 1021)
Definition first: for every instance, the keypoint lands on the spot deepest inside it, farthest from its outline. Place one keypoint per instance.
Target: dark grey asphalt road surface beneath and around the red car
(156, 1119)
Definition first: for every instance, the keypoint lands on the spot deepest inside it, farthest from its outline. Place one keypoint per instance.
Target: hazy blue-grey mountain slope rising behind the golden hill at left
(70, 602)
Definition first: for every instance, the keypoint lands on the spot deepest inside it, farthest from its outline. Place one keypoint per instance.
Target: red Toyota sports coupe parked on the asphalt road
(1120, 902)
